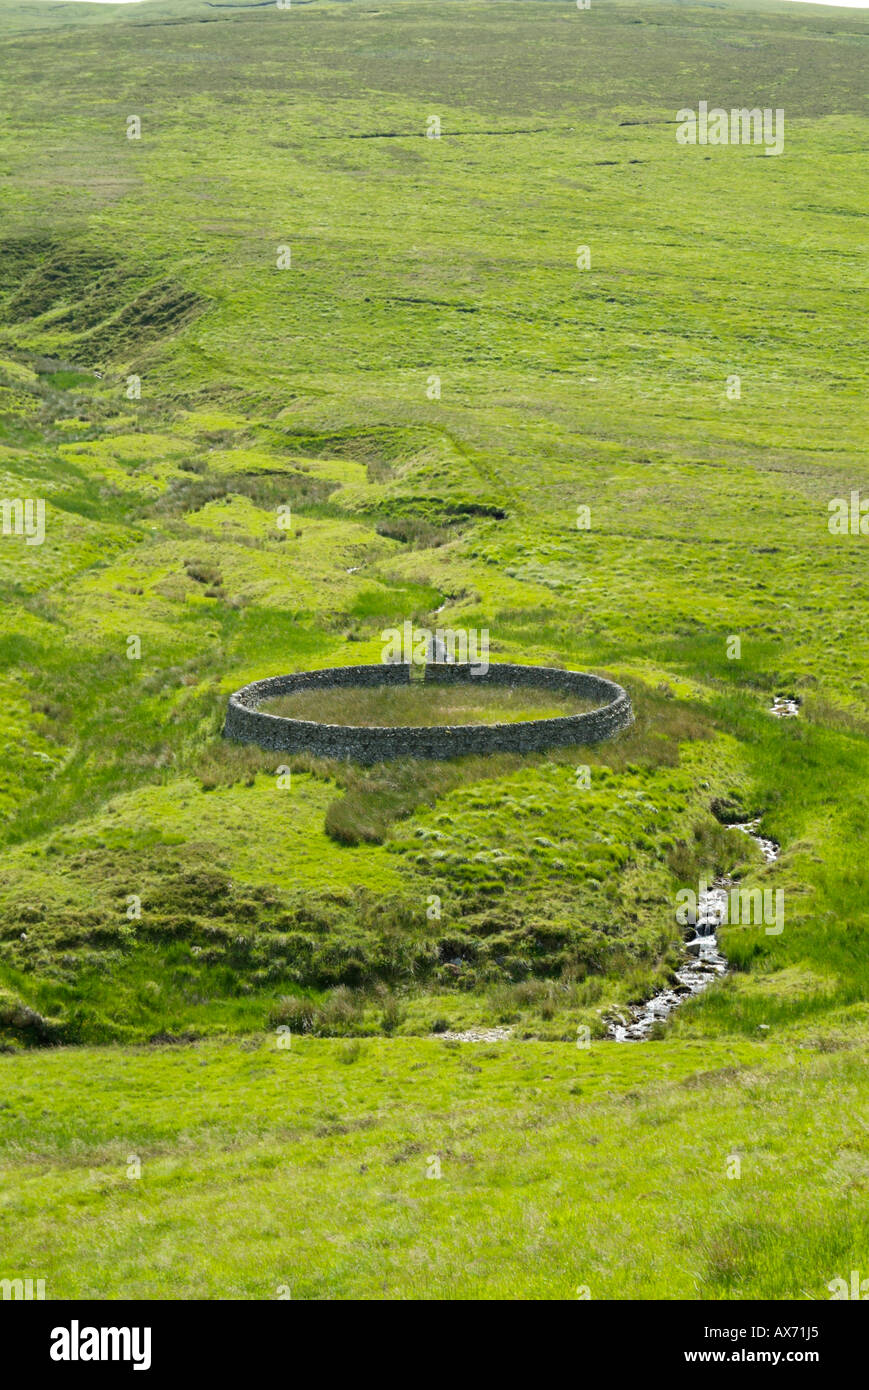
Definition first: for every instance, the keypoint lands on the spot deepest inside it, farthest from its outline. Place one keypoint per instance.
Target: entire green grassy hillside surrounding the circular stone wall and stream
(282, 300)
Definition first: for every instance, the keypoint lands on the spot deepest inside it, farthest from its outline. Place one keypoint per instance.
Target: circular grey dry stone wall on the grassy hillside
(247, 723)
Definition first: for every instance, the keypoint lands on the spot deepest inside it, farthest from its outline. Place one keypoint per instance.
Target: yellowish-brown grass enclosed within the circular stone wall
(421, 704)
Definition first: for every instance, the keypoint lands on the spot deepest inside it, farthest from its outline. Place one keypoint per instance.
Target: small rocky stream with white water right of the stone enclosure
(704, 961)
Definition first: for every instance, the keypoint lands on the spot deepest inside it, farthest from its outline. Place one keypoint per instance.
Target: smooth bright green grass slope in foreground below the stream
(422, 1170)
